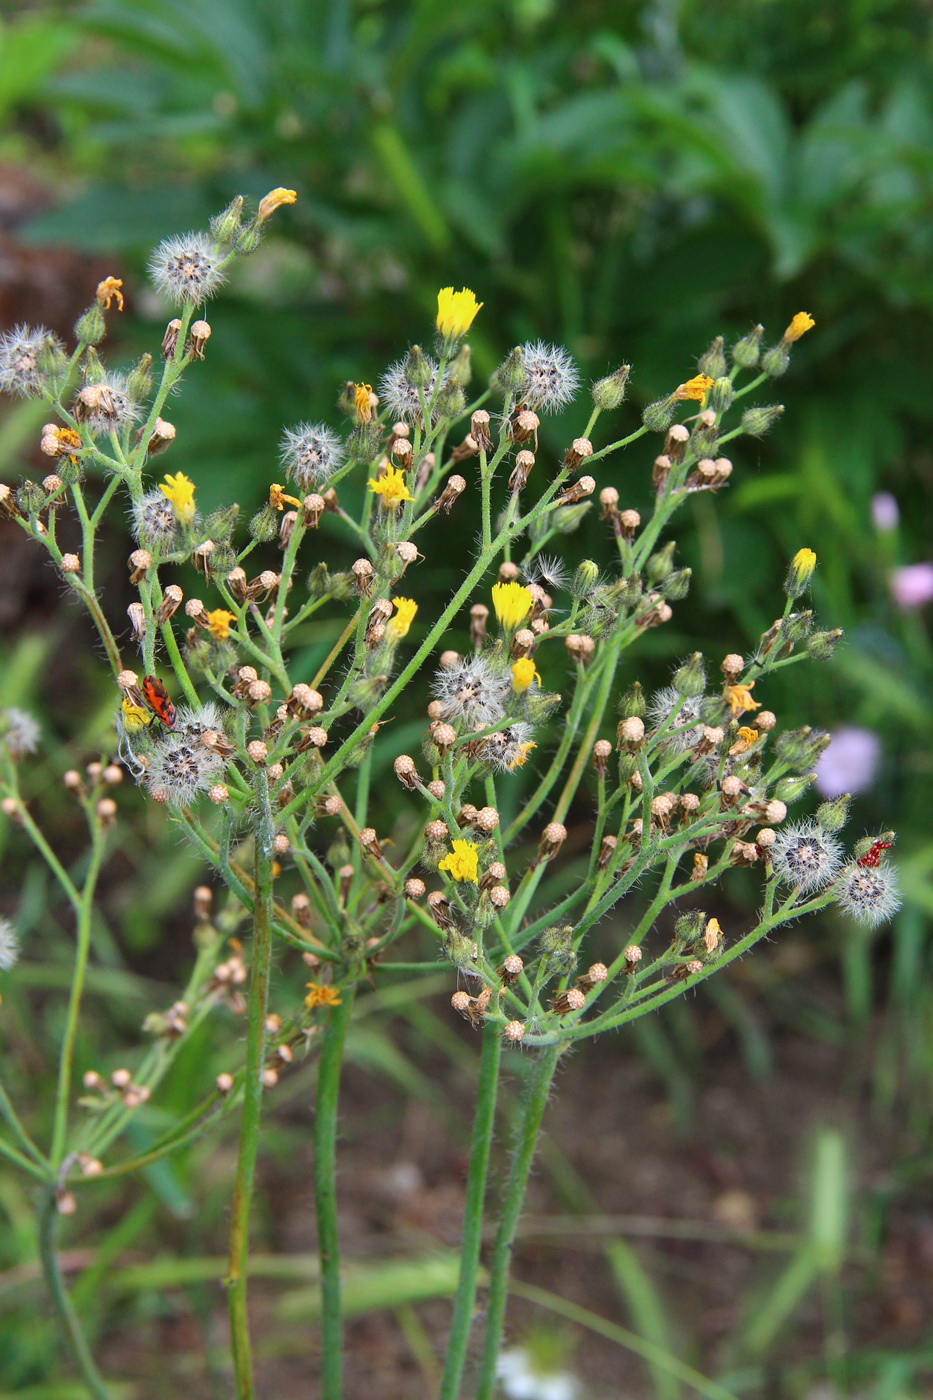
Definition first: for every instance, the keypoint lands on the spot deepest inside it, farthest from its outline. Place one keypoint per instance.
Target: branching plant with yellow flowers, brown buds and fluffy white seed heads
(267, 771)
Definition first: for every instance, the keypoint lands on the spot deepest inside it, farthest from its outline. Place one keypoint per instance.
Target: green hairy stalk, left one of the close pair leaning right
(480, 1149)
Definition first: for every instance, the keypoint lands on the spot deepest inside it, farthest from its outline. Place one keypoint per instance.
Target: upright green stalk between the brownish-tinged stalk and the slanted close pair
(326, 1122)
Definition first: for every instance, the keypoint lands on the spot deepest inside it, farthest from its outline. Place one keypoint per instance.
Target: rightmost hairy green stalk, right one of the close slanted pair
(530, 1121)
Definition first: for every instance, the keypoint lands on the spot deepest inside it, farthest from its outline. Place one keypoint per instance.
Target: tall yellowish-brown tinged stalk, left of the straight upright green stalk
(260, 965)
